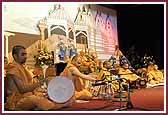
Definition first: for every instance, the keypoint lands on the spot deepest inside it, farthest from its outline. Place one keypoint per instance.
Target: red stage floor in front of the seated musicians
(147, 99)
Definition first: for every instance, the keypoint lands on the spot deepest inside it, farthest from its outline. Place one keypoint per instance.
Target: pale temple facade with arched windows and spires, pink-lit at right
(91, 27)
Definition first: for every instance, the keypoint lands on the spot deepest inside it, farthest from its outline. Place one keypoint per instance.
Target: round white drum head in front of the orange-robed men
(60, 89)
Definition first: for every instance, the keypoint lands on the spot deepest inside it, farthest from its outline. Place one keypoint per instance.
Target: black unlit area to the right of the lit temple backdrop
(141, 26)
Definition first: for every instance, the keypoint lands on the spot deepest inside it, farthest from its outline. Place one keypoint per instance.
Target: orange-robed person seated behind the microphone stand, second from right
(126, 73)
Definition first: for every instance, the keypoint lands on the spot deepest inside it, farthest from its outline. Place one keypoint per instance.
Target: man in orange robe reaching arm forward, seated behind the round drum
(73, 73)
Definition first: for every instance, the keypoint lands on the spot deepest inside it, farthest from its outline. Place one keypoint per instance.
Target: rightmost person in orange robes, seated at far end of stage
(155, 76)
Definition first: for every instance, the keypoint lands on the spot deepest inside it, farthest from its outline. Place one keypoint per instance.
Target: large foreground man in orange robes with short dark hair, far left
(20, 89)
